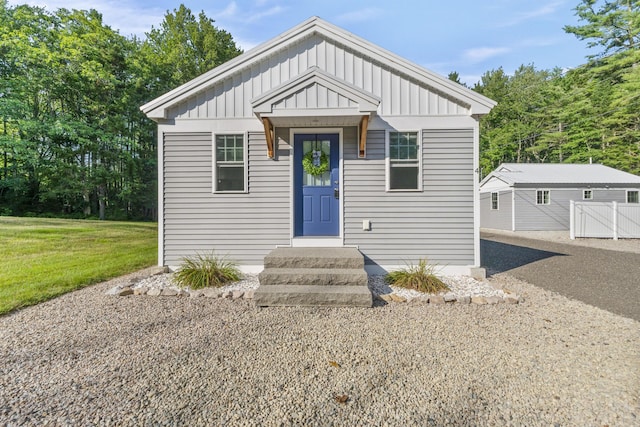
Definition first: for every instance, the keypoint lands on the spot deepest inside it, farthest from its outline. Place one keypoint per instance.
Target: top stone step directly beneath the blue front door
(314, 258)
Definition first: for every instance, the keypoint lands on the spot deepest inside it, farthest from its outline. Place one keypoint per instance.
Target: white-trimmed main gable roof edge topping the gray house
(478, 104)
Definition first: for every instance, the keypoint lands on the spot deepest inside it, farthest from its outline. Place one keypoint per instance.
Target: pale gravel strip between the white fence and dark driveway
(621, 245)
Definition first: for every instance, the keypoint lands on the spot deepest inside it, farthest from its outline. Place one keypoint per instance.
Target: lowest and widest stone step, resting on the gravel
(308, 295)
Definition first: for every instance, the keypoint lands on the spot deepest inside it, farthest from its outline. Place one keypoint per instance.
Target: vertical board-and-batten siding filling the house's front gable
(400, 94)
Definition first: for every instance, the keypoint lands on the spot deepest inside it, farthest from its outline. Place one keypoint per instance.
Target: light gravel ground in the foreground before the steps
(87, 358)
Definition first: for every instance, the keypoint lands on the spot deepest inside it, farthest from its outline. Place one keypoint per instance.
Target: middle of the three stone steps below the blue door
(313, 276)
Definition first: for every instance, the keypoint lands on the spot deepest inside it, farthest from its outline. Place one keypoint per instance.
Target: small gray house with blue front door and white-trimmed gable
(318, 138)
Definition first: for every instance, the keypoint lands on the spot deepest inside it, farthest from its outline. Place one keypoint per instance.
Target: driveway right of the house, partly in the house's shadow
(584, 270)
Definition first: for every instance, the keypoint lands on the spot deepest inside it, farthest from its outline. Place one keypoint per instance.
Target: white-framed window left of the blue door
(229, 172)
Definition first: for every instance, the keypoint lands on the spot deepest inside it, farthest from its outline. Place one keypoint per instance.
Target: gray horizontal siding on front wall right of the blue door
(436, 223)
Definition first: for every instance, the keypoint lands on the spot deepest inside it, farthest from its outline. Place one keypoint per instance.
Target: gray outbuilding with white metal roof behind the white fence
(520, 197)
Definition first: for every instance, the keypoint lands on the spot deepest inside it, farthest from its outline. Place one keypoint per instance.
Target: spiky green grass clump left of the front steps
(201, 271)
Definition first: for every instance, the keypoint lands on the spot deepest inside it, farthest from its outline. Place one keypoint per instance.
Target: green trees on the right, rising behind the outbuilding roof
(587, 114)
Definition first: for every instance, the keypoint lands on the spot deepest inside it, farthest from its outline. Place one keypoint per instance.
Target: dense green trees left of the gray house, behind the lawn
(72, 139)
